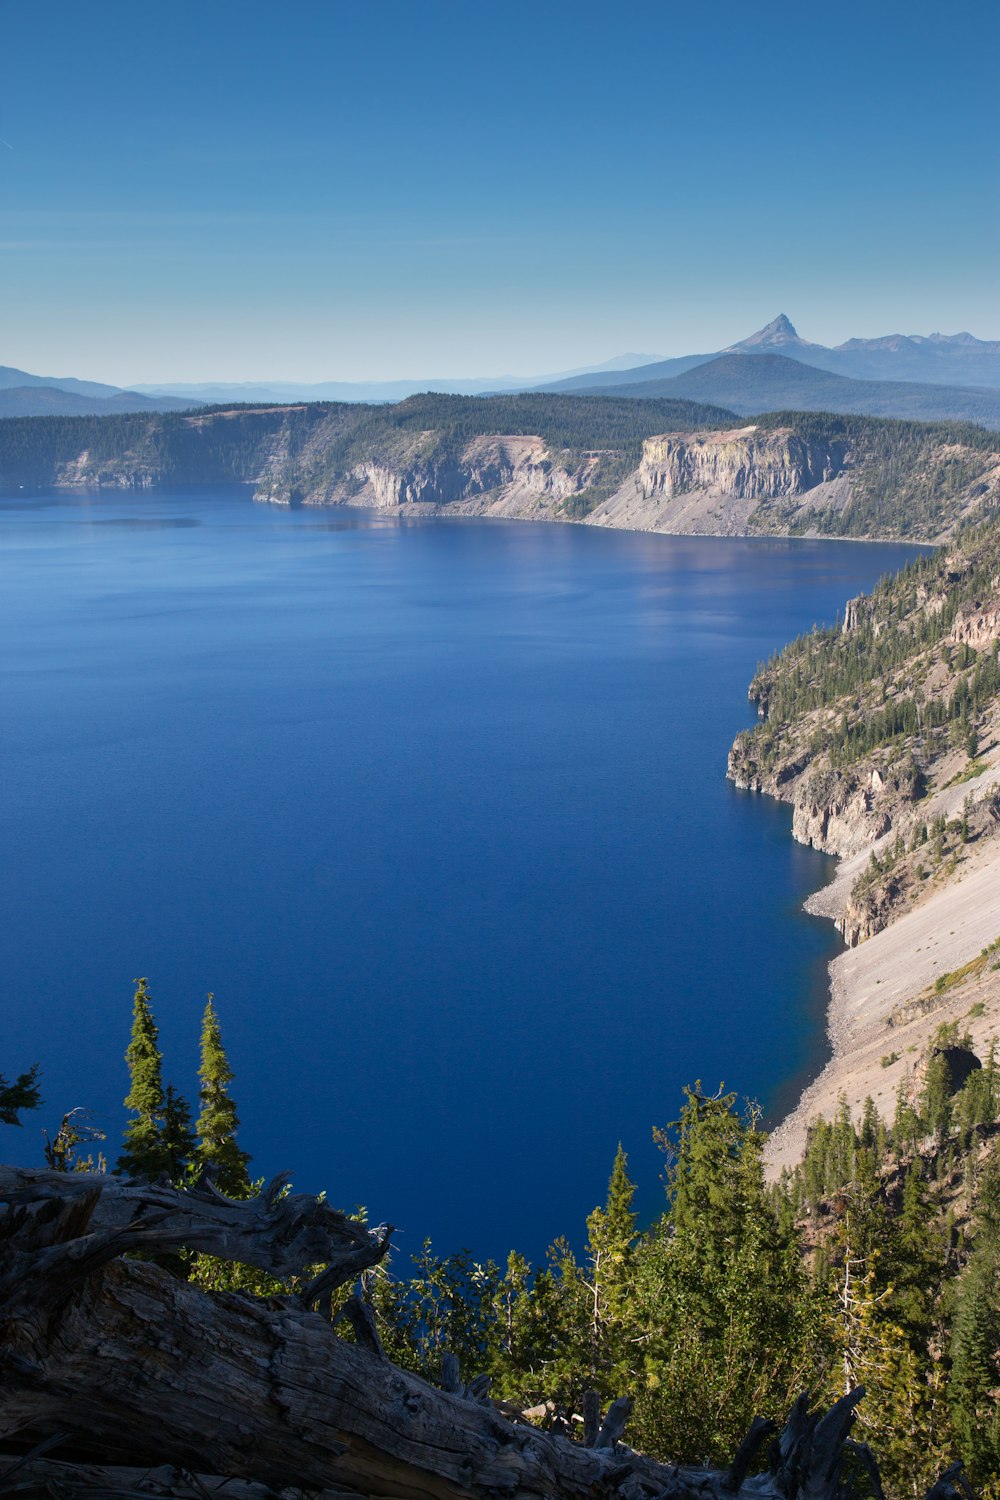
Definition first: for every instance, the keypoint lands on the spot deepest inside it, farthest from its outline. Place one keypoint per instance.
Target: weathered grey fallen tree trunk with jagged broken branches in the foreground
(133, 1367)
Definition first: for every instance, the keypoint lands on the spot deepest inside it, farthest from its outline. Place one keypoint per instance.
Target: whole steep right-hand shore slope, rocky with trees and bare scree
(884, 736)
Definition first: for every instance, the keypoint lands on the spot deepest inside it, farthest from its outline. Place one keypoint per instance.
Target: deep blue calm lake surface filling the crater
(439, 812)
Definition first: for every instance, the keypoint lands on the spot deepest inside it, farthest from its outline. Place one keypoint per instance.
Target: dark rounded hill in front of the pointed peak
(776, 383)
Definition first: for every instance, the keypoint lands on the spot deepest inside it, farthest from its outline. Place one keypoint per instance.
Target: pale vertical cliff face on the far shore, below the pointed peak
(747, 464)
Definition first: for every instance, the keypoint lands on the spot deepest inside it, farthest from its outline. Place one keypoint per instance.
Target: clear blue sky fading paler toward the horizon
(463, 187)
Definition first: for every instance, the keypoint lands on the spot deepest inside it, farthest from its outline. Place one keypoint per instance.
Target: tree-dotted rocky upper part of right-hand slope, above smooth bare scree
(879, 716)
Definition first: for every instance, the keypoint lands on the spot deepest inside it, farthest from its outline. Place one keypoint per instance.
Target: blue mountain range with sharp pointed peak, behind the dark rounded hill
(936, 359)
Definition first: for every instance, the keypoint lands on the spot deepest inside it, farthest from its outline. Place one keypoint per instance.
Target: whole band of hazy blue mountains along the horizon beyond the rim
(929, 377)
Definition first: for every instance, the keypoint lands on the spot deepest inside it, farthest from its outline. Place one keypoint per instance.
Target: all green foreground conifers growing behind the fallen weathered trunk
(876, 1264)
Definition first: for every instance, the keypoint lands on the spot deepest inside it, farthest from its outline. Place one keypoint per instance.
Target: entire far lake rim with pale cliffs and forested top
(660, 466)
